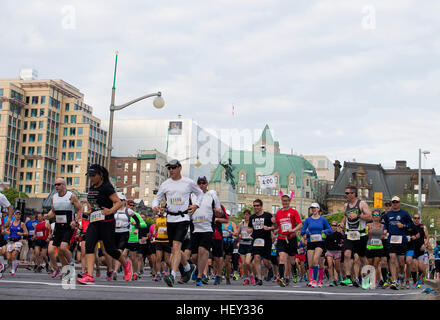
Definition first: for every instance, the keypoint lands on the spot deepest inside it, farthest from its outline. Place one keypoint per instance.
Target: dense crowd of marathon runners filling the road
(192, 238)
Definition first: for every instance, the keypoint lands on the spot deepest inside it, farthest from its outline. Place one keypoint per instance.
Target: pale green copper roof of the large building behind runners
(253, 162)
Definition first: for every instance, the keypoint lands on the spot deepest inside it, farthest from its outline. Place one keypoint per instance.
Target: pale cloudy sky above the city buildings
(348, 79)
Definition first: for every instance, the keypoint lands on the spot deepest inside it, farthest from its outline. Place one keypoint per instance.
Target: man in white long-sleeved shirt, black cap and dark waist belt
(177, 190)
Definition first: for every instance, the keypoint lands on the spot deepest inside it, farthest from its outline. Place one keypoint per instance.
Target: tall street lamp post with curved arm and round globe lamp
(157, 103)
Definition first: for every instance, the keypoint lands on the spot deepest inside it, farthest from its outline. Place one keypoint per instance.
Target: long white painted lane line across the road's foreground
(223, 290)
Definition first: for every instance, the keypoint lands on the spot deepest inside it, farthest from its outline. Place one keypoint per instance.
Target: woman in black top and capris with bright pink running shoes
(103, 202)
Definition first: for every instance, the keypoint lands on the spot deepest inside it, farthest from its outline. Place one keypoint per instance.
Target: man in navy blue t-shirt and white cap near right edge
(397, 222)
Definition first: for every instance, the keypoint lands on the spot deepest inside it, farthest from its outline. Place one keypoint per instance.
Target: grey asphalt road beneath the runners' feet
(27, 285)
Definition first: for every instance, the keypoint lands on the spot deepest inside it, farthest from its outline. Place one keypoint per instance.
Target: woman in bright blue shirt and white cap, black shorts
(314, 226)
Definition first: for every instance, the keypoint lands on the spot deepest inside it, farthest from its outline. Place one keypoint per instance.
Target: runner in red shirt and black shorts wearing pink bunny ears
(288, 222)
